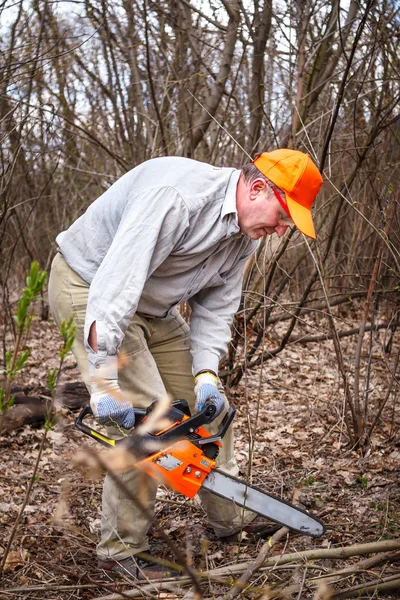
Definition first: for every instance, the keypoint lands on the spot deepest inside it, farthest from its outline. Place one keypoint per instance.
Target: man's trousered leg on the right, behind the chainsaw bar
(170, 347)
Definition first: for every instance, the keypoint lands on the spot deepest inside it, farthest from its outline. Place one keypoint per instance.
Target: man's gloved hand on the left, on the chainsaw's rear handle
(109, 406)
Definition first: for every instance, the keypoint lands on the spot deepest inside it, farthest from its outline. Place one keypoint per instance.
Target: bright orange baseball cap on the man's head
(295, 174)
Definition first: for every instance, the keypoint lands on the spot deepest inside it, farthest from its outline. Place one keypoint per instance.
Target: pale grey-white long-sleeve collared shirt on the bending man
(165, 232)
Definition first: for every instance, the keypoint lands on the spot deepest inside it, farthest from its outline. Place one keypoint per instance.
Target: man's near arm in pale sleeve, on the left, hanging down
(149, 229)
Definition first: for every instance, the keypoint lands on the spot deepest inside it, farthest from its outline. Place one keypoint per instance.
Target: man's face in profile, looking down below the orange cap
(260, 213)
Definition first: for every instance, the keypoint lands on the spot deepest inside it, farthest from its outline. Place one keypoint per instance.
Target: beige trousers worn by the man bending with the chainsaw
(158, 363)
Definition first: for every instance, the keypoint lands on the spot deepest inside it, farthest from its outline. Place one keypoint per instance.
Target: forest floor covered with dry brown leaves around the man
(290, 411)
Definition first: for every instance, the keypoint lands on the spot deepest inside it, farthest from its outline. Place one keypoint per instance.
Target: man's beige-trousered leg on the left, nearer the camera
(124, 526)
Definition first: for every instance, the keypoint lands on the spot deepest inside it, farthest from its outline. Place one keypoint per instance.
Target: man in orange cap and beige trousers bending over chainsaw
(172, 229)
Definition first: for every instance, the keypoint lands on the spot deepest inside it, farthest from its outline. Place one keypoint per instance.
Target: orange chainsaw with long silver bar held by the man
(183, 456)
